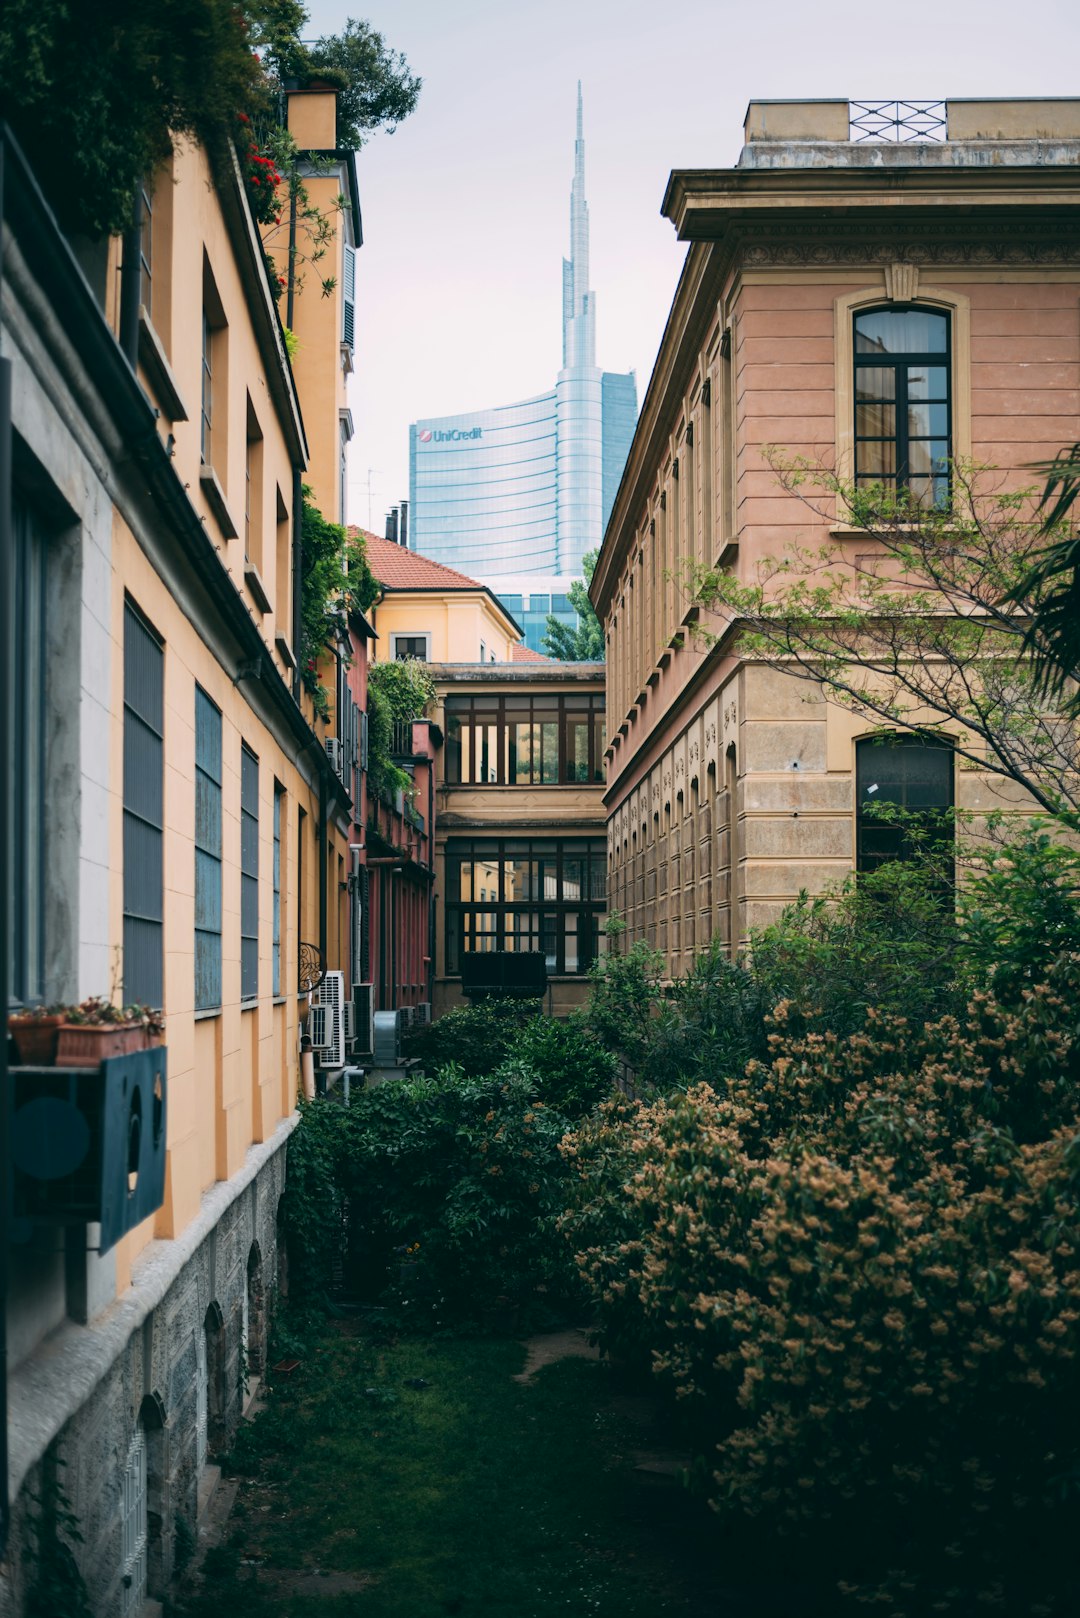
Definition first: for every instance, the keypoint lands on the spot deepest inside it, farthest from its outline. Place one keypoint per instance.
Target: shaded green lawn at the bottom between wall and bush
(475, 1494)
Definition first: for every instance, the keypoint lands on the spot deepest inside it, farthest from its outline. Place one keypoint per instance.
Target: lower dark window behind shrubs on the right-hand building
(917, 776)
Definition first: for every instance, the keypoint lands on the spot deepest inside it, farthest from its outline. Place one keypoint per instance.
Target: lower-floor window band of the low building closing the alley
(527, 894)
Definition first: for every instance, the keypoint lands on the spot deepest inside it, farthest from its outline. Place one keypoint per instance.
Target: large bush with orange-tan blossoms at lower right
(859, 1266)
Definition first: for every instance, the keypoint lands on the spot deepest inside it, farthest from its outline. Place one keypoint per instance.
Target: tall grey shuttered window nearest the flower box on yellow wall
(143, 810)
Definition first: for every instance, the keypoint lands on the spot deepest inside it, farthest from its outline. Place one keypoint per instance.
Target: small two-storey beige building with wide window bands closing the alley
(521, 855)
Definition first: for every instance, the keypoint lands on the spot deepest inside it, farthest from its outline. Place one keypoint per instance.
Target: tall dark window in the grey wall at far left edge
(25, 765)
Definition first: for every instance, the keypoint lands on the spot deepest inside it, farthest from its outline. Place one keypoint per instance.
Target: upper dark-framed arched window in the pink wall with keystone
(903, 402)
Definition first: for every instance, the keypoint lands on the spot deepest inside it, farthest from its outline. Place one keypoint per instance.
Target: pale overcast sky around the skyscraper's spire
(467, 205)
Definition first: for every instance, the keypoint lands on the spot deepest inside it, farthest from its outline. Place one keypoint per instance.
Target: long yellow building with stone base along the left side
(181, 832)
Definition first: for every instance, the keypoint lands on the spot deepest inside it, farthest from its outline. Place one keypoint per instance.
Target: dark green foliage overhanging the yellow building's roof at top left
(98, 93)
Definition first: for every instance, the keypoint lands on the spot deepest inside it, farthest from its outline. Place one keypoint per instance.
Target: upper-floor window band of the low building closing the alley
(525, 740)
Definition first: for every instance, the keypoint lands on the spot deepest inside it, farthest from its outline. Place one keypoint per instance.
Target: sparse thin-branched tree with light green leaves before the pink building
(932, 629)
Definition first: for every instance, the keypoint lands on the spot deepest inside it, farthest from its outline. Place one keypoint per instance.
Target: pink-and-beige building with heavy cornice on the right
(823, 277)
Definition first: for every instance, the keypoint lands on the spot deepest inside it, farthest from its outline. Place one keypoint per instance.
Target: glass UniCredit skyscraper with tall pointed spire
(517, 494)
